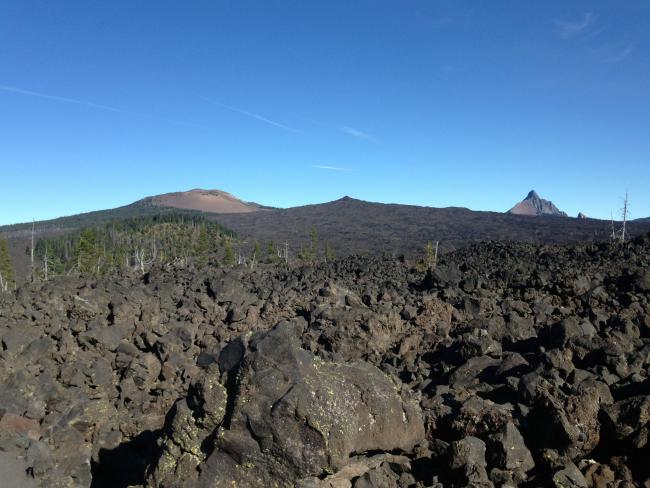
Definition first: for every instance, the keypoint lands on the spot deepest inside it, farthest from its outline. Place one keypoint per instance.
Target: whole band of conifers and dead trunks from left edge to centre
(138, 243)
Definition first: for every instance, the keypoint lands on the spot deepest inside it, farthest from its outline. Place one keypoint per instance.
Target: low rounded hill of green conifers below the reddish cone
(135, 244)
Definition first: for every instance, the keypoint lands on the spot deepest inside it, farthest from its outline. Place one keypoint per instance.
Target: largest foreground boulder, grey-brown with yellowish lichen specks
(293, 416)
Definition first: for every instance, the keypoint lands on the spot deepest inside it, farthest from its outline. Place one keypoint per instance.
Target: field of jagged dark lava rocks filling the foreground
(508, 365)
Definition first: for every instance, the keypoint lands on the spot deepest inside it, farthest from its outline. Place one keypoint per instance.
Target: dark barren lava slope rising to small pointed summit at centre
(356, 226)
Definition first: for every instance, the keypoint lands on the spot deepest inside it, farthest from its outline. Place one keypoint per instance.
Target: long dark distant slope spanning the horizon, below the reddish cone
(349, 226)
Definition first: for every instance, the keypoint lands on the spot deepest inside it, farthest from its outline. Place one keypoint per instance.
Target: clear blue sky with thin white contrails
(435, 103)
